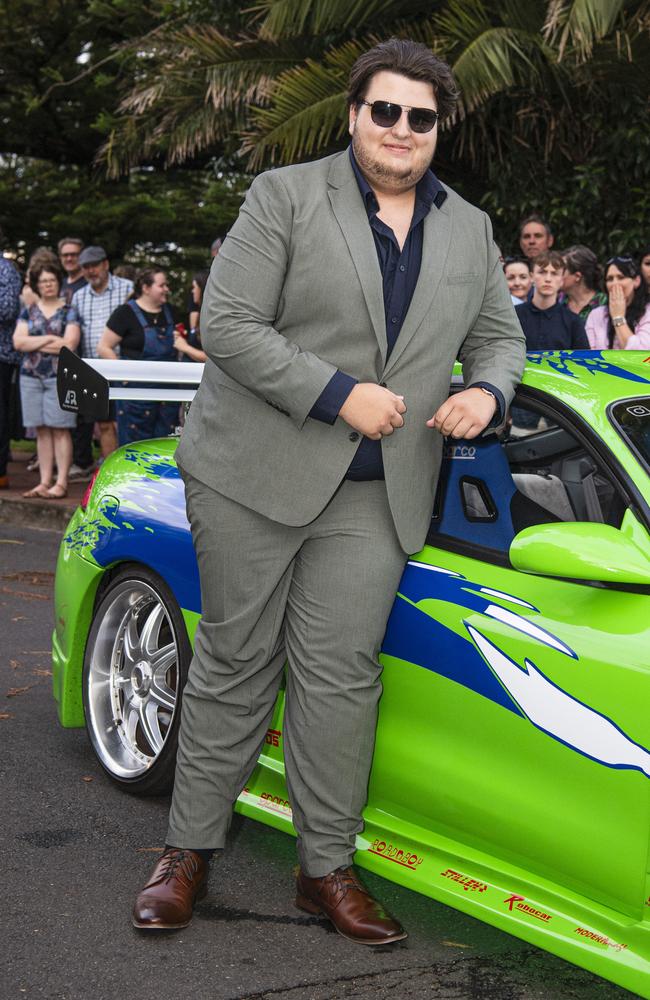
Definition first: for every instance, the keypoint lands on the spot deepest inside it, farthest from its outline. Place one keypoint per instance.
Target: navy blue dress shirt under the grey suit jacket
(400, 269)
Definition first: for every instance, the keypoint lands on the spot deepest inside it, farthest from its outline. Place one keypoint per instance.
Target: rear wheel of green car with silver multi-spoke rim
(135, 667)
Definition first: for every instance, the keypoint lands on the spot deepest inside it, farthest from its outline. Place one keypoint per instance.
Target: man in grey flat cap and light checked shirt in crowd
(92, 305)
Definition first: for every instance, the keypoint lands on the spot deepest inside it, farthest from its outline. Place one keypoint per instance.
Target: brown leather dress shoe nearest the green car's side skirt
(350, 907)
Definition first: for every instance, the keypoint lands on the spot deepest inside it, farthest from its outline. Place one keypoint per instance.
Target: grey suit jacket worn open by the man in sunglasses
(294, 294)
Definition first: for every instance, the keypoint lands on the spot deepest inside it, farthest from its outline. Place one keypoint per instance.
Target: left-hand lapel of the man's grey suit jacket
(347, 205)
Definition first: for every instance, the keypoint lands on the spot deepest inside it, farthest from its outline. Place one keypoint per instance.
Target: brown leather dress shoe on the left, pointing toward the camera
(179, 879)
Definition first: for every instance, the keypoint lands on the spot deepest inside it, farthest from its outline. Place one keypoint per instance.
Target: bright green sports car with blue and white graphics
(511, 775)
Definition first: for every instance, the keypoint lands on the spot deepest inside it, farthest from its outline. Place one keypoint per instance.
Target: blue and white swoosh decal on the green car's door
(415, 634)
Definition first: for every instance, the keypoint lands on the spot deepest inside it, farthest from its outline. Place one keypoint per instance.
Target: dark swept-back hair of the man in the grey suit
(410, 59)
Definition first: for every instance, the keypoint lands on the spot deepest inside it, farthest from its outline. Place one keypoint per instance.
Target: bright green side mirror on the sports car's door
(585, 551)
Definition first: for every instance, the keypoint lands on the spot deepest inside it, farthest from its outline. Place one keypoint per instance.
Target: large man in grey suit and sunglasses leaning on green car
(332, 318)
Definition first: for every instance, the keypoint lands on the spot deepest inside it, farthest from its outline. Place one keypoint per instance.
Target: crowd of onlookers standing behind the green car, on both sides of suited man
(565, 300)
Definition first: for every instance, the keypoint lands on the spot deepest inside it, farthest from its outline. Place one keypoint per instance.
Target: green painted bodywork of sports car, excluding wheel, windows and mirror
(511, 775)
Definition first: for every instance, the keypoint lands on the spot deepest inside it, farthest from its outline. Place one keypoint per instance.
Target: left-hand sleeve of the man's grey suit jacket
(242, 299)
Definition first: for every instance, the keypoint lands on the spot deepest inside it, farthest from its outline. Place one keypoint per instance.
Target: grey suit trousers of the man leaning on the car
(319, 596)
